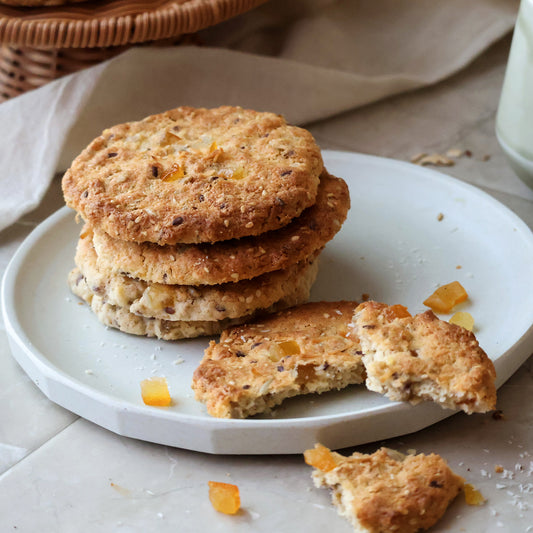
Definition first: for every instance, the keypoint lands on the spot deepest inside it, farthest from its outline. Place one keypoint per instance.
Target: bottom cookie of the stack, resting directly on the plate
(120, 318)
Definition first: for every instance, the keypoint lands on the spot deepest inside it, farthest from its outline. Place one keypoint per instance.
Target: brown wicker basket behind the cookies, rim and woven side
(42, 44)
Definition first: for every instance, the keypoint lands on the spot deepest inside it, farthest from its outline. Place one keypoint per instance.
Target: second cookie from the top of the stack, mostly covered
(233, 260)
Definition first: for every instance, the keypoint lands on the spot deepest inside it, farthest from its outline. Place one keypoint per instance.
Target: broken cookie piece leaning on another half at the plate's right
(424, 358)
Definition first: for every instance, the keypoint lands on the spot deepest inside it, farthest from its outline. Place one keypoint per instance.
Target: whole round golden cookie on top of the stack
(195, 175)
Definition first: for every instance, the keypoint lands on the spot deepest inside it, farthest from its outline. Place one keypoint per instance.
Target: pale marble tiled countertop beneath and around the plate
(60, 473)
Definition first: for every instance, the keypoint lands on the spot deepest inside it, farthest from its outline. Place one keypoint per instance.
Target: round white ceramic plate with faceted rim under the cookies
(393, 247)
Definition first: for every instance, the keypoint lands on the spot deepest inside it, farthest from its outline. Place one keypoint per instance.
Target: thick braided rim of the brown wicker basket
(113, 23)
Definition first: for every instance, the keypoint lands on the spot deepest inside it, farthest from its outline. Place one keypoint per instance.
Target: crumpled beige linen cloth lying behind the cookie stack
(306, 59)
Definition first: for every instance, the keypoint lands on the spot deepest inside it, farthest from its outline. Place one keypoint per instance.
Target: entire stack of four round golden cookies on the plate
(197, 219)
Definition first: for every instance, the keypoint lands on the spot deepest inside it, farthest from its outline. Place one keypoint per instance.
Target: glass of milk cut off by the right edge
(514, 120)
